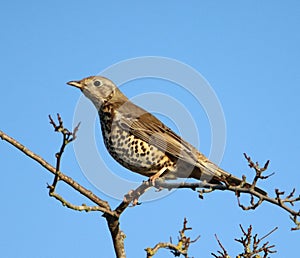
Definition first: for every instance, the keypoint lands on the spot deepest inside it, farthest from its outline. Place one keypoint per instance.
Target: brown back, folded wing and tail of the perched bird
(148, 128)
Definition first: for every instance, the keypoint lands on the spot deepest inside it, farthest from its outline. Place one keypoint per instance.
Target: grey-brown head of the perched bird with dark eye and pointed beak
(98, 89)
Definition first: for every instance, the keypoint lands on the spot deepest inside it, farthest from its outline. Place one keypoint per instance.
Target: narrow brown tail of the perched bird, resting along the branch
(214, 174)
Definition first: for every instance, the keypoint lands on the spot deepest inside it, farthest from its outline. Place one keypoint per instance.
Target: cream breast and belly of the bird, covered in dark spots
(126, 148)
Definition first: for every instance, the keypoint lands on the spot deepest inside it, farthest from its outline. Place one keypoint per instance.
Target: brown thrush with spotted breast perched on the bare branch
(143, 144)
